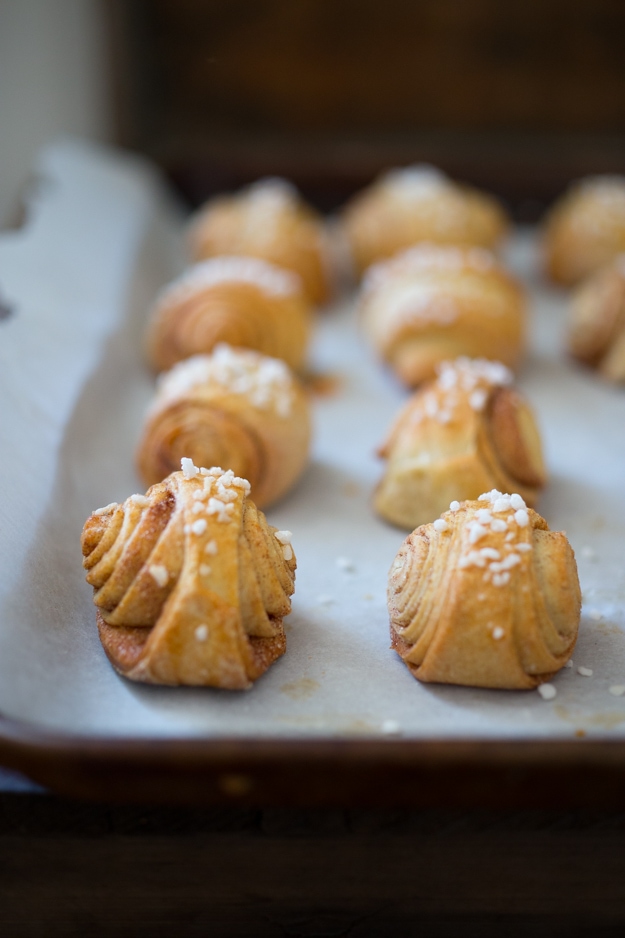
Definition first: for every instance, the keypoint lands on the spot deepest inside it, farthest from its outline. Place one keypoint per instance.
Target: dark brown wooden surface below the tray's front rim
(70, 867)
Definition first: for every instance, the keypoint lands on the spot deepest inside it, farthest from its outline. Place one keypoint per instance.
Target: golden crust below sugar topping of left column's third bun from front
(238, 313)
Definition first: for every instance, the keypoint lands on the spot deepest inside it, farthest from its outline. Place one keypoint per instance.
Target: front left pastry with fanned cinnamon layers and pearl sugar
(191, 583)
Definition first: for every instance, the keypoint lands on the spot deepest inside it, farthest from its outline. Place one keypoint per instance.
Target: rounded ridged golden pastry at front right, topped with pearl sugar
(486, 596)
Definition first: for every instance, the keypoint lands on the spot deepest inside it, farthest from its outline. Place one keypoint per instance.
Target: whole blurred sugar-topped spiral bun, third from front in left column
(243, 301)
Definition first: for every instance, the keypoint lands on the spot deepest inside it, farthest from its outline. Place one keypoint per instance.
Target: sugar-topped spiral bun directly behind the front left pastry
(235, 408)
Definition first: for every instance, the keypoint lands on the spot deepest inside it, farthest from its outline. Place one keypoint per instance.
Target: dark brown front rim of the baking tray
(358, 772)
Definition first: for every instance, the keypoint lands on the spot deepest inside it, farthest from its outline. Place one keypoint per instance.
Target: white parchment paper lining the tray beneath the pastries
(102, 236)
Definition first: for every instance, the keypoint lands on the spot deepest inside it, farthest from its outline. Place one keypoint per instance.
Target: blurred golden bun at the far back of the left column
(267, 220)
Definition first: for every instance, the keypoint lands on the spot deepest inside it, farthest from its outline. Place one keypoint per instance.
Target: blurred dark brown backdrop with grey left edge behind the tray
(517, 96)
